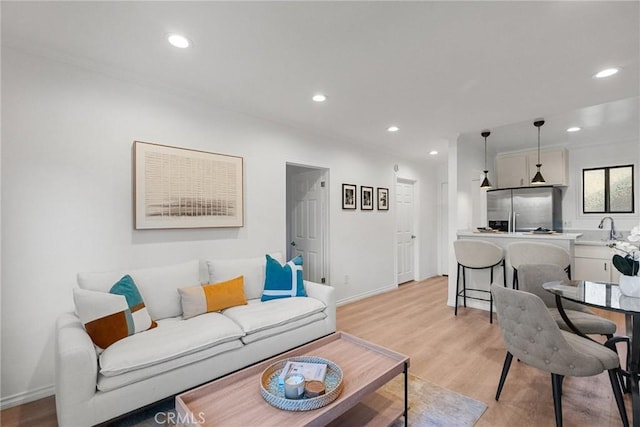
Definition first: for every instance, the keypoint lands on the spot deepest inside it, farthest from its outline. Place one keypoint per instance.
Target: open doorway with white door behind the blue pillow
(308, 219)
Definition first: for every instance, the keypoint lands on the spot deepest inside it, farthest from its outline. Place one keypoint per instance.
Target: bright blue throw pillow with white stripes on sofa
(283, 281)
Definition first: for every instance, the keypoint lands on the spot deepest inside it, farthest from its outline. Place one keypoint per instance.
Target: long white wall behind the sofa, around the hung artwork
(67, 198)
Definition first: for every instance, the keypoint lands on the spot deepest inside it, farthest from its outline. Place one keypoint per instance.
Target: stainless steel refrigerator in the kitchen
(525, 208)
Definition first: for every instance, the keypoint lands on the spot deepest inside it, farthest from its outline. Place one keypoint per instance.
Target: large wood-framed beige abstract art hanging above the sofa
(182, 188)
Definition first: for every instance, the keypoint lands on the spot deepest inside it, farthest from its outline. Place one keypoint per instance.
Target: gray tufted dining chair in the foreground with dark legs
(533, 336)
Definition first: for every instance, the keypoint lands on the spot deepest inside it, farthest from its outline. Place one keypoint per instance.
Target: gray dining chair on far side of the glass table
(531, 277)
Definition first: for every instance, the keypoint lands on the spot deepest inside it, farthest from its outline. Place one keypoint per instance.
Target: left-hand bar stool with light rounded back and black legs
(477, 255)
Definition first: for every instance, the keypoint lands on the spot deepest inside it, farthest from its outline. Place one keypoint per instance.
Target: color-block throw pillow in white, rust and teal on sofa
(111, 316)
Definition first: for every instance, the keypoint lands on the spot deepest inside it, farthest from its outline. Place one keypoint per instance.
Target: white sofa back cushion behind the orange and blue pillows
(253, 270)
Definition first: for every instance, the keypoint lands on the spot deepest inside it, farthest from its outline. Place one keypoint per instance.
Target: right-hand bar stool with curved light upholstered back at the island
(520, 253)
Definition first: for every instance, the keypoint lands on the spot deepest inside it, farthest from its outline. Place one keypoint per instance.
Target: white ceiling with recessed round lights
(435, 69)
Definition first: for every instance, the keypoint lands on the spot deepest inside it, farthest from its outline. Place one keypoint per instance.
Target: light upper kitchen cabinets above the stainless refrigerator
(518, 169)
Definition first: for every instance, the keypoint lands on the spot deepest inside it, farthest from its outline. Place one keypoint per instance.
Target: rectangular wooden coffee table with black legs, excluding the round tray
(235, 400)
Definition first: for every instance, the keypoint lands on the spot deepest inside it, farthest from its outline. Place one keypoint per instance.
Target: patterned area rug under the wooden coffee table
(429, 405)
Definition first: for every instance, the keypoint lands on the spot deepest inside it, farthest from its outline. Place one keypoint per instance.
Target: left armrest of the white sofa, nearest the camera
(76, 368)
